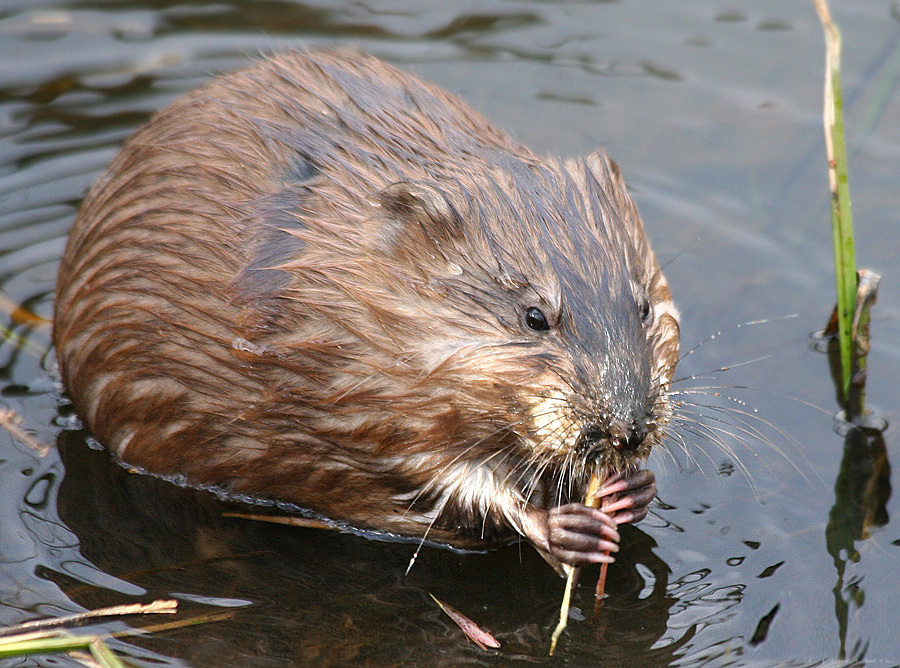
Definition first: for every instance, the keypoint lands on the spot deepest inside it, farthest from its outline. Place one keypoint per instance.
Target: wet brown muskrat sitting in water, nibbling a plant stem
(325, 282)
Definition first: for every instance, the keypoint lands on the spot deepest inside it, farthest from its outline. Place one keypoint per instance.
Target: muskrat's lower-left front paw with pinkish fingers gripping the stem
(579, 535)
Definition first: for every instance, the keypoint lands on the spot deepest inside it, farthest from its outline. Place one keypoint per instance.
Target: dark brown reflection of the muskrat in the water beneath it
(306, 596)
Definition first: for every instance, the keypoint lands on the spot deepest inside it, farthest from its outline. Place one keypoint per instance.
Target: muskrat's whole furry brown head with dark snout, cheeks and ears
(516, 317)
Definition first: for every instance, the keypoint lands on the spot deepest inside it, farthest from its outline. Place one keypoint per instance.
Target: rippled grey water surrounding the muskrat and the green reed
(712, 108)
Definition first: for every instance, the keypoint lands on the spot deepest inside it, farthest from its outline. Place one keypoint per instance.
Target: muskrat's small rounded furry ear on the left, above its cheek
(423, 208)
